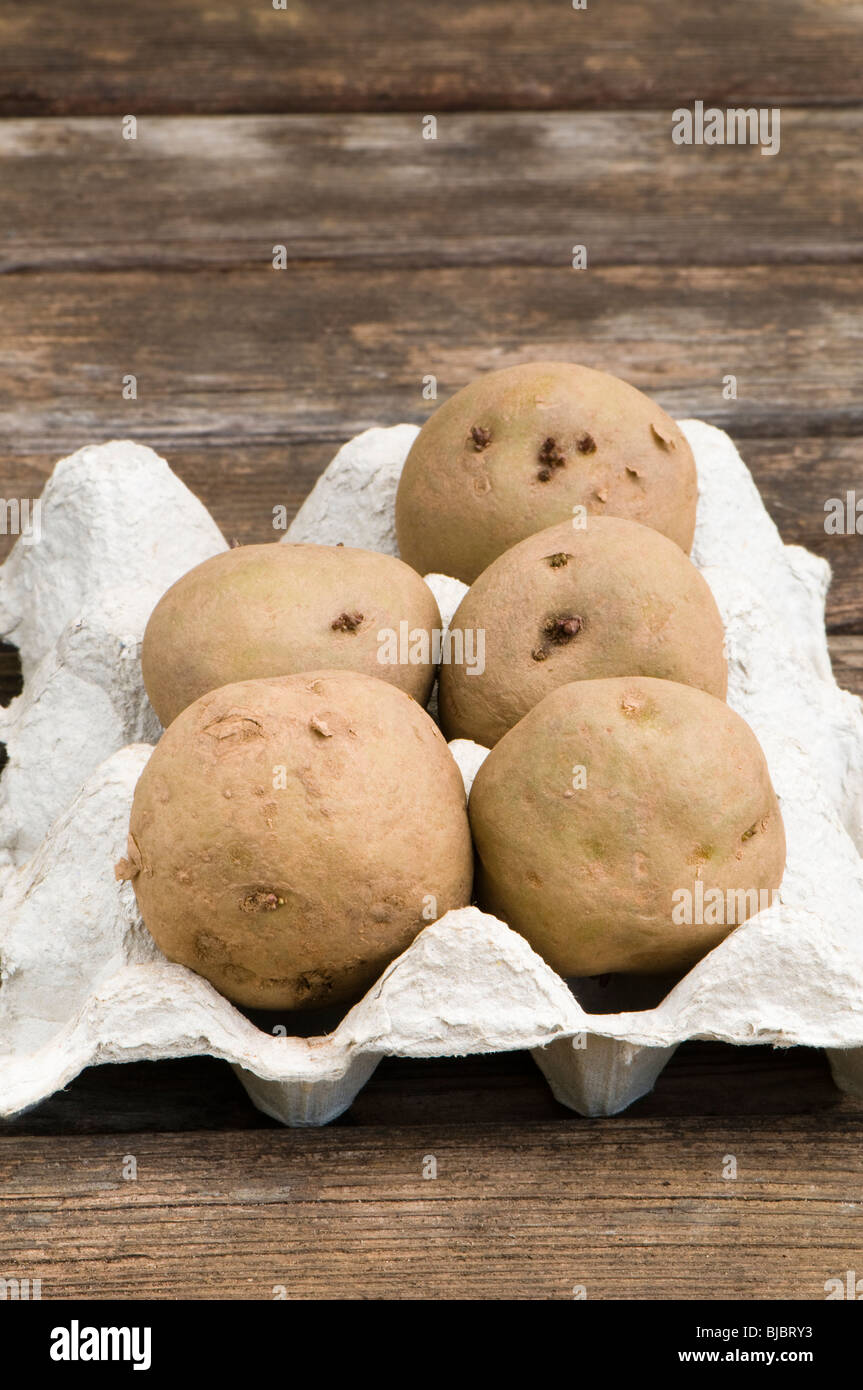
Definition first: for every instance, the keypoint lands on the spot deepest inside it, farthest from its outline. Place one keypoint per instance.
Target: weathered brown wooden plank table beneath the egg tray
(406, 258)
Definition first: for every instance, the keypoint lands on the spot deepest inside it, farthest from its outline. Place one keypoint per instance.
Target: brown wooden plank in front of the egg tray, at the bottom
(625, 1209)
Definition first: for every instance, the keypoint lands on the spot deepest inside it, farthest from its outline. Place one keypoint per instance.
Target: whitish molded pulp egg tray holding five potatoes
(81, 981)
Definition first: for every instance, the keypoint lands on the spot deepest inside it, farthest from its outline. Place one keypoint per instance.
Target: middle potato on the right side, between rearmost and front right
(614, 600)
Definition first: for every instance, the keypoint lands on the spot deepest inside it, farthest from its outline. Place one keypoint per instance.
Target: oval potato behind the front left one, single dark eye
(280, 610)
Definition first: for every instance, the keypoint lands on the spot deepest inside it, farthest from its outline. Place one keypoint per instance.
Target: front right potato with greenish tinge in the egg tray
(677, 790)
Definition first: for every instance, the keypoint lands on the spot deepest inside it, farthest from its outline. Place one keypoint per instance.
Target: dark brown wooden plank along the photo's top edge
(227, 56)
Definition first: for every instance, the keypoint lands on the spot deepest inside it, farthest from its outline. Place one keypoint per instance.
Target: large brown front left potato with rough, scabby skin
(298, 896)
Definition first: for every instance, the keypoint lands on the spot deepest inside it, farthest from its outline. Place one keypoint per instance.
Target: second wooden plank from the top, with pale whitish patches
(513, 190)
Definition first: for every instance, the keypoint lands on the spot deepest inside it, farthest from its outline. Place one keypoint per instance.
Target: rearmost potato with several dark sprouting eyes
(516, 451)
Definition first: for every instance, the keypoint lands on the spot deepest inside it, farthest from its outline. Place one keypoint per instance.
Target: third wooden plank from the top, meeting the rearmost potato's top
(255, 357)
